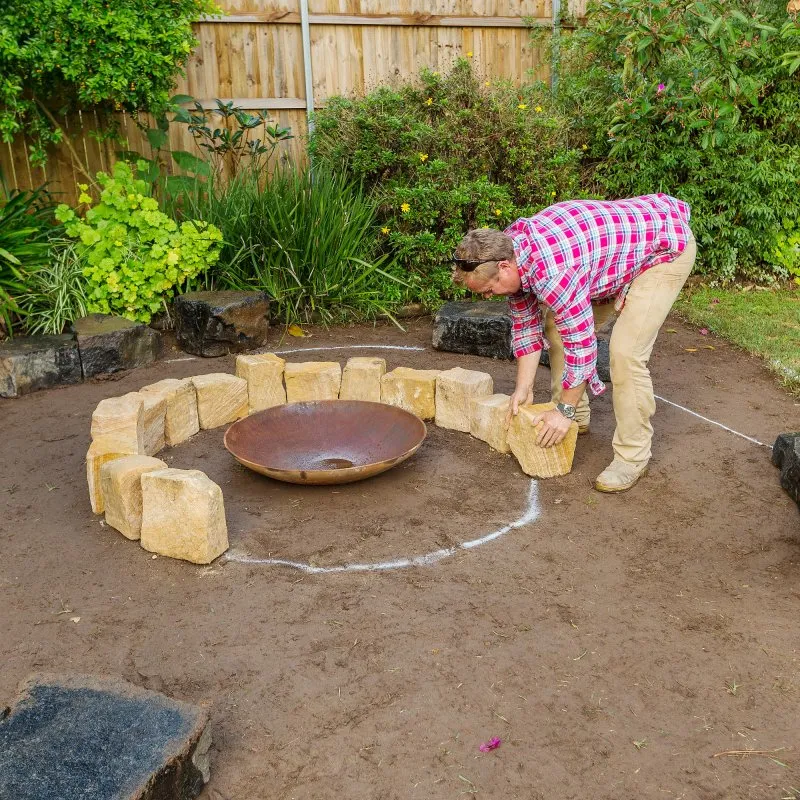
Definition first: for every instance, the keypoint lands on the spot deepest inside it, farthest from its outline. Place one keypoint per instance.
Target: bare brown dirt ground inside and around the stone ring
(619, 646)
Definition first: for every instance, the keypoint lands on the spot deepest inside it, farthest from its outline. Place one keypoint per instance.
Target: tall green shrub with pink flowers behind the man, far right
(699, 100)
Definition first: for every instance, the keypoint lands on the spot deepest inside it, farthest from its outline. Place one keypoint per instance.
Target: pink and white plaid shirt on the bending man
(578, 251)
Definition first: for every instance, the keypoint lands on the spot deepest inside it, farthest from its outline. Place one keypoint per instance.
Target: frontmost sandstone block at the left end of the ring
(183, 515)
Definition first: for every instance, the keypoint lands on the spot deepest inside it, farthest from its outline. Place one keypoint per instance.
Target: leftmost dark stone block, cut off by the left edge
(30, 363)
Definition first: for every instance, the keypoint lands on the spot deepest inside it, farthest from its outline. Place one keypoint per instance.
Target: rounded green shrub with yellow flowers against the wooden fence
(444, 155)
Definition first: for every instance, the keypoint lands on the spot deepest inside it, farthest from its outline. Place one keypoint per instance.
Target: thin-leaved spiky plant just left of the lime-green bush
(56, 293)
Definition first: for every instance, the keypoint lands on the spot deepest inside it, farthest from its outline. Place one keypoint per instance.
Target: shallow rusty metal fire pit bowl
(325, 442)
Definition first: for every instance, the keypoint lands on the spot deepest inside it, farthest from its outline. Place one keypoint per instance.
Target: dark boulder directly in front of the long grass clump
(217, 323)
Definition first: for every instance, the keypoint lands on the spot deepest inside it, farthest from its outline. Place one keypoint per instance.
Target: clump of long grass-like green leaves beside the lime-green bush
(306, 237)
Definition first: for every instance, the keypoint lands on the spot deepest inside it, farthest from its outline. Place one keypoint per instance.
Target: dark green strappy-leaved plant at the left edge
(26, 224)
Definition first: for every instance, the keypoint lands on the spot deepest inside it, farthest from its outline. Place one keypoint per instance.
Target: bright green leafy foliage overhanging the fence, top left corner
(93, 54)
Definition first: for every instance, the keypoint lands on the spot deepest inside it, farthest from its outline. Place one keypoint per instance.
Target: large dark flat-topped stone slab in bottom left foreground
(84, 738)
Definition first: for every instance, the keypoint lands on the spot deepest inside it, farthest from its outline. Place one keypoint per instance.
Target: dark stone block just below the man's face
(481, 328)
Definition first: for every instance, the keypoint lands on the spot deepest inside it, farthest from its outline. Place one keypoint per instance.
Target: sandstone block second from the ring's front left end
(121, 485)
